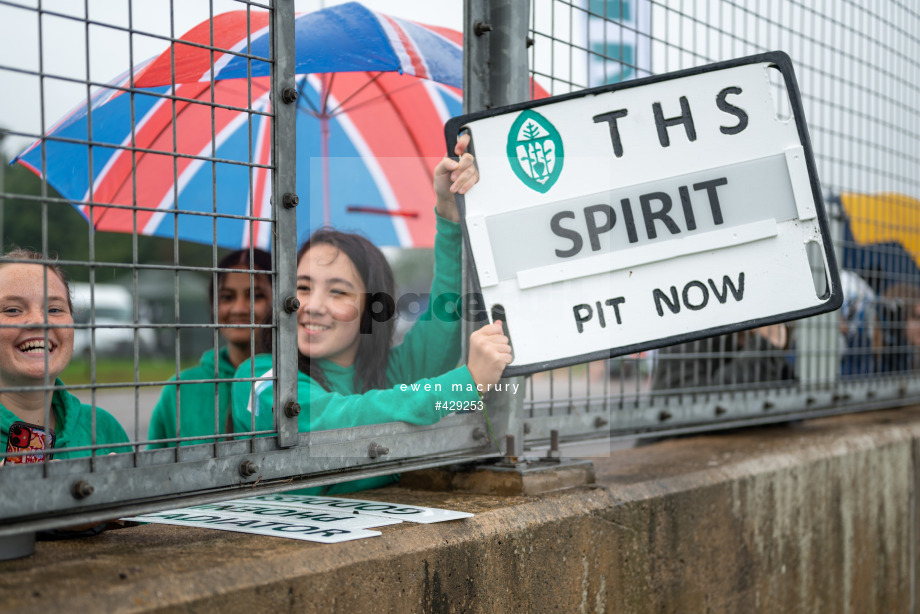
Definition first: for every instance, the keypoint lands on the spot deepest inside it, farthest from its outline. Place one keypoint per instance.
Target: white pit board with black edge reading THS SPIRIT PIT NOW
(648, 213)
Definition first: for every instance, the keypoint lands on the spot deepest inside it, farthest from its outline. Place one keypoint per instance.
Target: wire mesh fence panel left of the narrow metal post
(138, 189)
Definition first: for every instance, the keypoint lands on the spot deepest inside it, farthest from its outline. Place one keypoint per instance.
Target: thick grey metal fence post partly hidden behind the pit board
(495, 73)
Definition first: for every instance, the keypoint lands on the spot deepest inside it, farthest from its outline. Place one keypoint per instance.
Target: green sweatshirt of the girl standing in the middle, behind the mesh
(197, 410)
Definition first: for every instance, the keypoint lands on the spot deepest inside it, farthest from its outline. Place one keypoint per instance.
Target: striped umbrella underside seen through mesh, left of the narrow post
(135, 169)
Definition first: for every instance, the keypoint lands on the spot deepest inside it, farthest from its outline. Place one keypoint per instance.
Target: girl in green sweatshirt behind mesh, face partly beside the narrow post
(198, 405)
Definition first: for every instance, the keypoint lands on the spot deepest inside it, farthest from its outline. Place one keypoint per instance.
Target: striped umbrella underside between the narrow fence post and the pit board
(381, 155)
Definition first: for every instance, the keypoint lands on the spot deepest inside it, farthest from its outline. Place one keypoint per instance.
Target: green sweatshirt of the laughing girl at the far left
(74, 426)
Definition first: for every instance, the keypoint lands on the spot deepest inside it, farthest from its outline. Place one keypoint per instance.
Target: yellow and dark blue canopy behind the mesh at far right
(882, 238)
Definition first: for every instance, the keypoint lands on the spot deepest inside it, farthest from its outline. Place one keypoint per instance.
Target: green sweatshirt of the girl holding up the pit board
(427, 356)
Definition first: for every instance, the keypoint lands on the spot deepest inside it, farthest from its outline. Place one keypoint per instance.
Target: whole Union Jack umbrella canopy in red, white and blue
(189, 157)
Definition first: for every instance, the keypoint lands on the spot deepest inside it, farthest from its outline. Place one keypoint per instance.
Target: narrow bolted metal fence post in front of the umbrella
(284, 201)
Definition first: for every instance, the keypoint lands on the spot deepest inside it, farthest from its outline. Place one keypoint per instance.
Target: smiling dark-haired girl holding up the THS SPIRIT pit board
(348, 373)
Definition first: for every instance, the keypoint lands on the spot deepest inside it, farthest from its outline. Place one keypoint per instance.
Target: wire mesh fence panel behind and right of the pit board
(857, 73)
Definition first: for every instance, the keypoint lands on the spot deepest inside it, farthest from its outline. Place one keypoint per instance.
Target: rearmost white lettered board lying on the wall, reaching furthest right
(405, 513)
